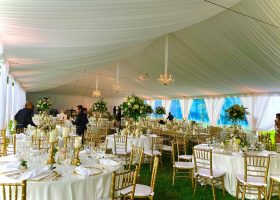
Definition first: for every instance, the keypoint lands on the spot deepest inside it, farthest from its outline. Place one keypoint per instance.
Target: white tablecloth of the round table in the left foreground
(69, 186)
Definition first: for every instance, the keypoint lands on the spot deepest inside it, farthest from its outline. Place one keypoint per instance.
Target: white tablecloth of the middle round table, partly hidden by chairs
(142, 141)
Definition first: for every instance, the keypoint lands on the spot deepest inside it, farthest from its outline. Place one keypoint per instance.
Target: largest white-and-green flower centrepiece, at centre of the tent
(134, 107)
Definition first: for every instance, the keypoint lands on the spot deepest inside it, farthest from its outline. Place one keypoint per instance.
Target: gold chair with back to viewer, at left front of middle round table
(120, 147)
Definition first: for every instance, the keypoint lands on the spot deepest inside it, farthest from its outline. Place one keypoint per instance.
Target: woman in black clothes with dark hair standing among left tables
(80, 121)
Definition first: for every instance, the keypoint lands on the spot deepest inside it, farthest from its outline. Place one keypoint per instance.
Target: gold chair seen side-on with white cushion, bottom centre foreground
(145, 191)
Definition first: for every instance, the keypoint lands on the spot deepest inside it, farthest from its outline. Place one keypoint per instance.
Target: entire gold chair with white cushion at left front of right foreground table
(204, 171)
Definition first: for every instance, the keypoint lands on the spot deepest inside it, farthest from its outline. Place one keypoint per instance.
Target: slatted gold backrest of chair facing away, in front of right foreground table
(256, 166)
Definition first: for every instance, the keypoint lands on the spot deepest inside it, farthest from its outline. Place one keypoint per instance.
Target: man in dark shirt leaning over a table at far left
(24, 116)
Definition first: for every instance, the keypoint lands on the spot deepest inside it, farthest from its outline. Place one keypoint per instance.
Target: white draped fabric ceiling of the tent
(59, 46)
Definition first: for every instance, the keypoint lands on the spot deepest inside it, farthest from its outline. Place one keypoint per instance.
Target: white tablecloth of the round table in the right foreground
(233, 164)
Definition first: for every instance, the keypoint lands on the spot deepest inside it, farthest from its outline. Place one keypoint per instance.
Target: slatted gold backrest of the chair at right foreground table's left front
(203, 160)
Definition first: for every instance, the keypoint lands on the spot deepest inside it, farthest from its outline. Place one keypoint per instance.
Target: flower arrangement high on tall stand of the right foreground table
(236, 113)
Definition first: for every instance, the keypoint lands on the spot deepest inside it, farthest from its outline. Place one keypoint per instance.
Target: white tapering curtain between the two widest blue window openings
(214, 106)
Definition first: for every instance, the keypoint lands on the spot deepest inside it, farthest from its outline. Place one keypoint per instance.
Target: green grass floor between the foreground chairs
(182, 189)
